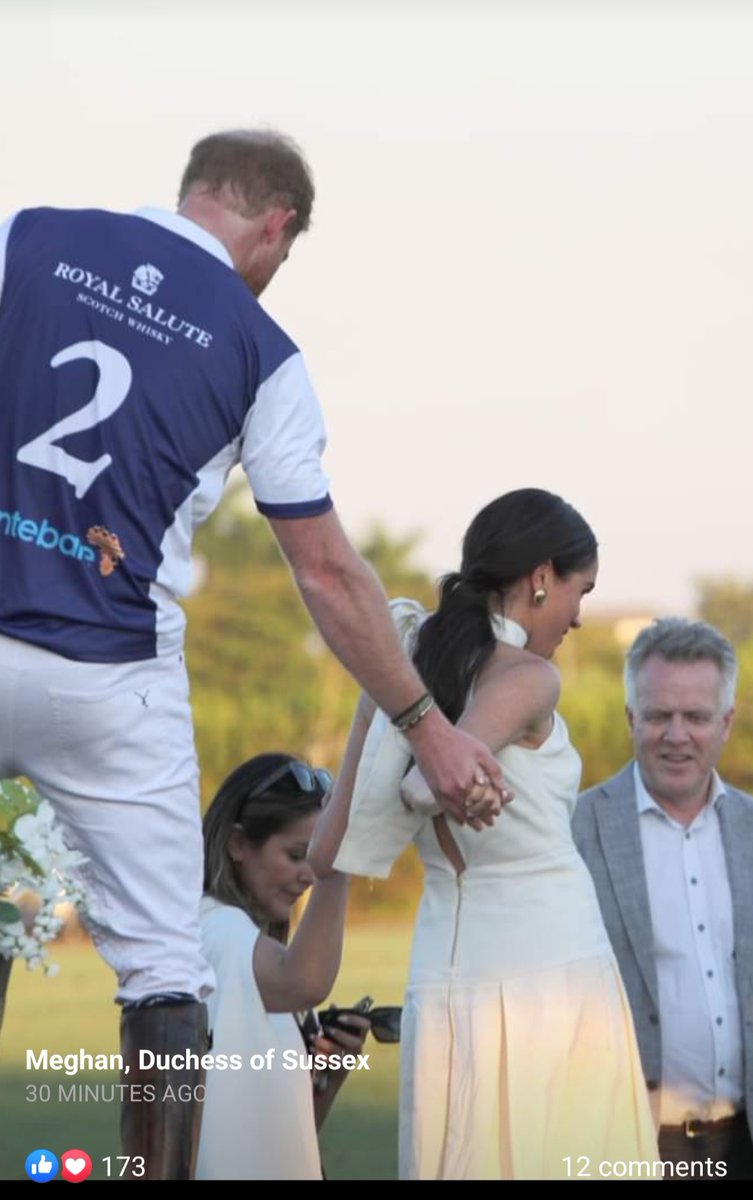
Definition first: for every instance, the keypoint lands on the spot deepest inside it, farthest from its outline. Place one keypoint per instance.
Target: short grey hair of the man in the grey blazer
(678, 640)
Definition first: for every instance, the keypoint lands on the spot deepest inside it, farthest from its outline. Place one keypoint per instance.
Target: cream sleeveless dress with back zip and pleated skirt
(519, 1053)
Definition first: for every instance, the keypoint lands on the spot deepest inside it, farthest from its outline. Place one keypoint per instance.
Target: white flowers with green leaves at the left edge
(33, 859)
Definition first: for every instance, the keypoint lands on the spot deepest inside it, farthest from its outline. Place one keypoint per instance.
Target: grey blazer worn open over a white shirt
(607, 835)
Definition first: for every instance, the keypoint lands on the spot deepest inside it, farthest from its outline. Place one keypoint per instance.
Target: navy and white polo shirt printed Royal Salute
(136, 370)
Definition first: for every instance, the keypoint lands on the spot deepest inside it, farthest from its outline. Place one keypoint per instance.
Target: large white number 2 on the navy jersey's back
(112, 389)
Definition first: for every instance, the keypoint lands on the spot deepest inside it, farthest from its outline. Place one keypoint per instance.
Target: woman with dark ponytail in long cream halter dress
(520, 1058)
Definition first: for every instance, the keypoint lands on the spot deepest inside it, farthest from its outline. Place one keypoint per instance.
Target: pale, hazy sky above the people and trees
(532, 260)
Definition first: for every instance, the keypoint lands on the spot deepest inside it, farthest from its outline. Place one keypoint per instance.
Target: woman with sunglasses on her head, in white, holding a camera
(260, 1117)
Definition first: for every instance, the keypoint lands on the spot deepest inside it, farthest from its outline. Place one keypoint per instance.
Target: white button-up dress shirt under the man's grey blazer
(694, 947)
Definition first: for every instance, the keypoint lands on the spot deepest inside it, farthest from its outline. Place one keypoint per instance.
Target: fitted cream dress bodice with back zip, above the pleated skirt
(526, 898)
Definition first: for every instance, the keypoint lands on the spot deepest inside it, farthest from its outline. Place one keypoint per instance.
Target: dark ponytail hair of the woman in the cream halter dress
(504, 543)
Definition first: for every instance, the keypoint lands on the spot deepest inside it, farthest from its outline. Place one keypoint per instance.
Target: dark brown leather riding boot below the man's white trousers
(161, 1113)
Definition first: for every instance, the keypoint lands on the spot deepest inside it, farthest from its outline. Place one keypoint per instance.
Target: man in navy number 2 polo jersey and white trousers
(136, 369)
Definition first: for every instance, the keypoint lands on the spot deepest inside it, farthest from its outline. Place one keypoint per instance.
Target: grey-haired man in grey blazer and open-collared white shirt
(671, 850)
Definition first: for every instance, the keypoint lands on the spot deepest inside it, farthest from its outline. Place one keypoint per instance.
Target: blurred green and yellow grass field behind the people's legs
(75, 1010)
